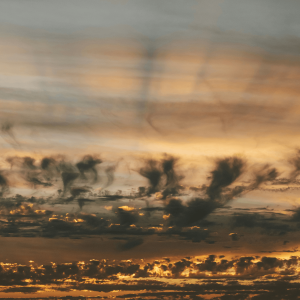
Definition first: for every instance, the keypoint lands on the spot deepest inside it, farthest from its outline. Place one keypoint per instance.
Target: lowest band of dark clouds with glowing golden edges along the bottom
(237, 277)
